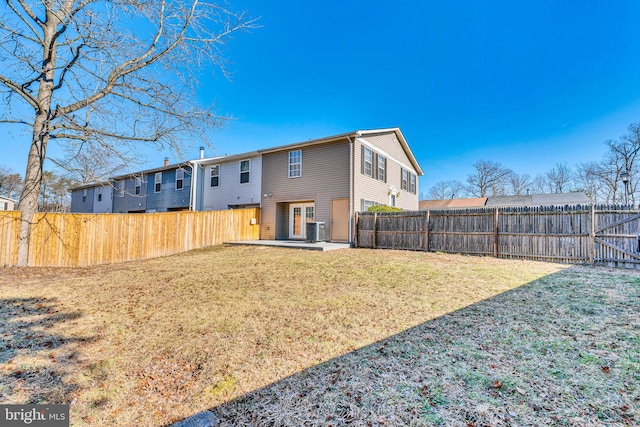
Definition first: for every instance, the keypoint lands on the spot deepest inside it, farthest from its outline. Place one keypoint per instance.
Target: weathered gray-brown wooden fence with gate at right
(597, 234)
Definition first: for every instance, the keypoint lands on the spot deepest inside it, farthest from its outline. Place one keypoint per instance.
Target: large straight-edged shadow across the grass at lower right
(563, 350)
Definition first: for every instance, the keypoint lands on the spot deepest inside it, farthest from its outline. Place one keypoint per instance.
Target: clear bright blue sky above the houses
(526, 84)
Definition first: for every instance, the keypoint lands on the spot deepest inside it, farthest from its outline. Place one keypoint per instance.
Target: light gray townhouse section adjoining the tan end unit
(228, 182)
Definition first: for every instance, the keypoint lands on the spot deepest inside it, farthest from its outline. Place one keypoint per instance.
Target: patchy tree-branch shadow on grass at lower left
(34, 359)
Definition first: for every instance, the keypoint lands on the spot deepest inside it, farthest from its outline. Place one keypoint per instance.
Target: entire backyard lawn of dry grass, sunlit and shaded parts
(307, 338)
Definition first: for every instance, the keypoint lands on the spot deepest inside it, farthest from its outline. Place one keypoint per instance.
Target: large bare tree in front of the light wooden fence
(113, 73)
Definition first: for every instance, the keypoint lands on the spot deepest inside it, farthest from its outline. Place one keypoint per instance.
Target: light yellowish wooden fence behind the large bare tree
(75, 240)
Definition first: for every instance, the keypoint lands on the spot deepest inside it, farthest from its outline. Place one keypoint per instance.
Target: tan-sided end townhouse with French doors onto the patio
(329, 179)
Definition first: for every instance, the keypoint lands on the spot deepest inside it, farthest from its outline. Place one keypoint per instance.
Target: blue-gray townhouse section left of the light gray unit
(163, 189)
